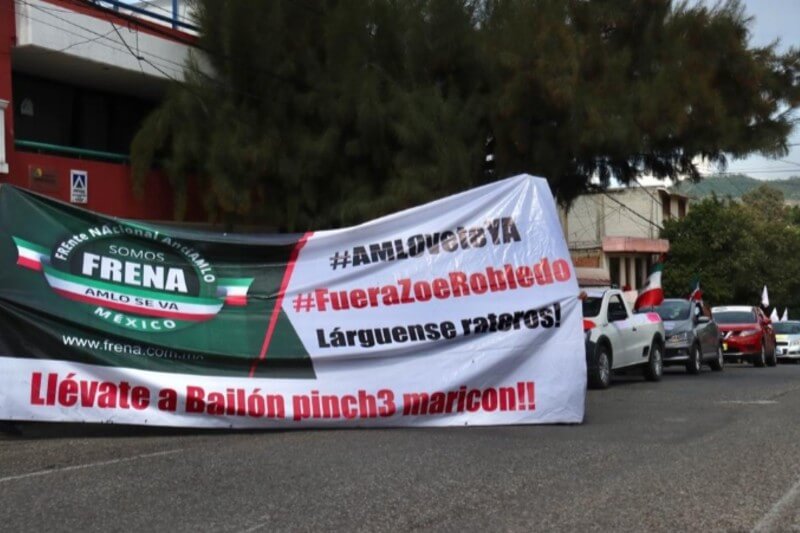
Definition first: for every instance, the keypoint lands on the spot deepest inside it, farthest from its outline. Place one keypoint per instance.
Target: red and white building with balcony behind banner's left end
(77, 78)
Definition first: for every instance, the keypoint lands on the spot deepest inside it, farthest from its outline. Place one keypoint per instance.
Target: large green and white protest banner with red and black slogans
(463, 311)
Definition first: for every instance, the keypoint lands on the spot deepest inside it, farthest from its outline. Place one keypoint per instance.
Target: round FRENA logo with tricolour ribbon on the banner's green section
(134, 277)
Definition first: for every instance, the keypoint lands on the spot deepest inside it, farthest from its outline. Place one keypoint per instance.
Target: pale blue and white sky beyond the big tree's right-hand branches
(774, 19)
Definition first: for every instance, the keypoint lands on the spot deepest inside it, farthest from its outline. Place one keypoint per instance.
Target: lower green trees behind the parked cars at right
(735, 249)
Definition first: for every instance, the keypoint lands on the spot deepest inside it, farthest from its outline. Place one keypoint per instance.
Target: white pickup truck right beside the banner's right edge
(617, 338)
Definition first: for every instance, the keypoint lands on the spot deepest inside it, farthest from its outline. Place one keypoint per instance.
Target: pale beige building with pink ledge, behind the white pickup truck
(613, 236)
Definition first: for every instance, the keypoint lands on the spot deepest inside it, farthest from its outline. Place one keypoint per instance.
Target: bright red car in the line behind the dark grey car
(747, 334)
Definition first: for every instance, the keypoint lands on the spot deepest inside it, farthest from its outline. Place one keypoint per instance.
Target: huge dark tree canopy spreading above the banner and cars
(305, 114)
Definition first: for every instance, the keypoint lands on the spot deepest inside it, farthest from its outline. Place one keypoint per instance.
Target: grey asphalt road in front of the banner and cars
(714, 452)
